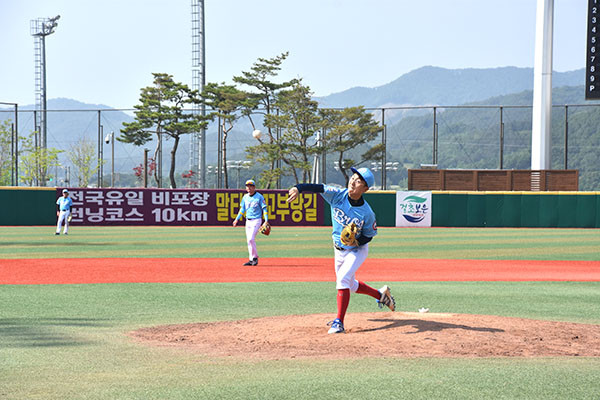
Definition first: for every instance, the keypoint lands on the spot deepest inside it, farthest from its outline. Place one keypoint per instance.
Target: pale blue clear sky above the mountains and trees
(104, 52)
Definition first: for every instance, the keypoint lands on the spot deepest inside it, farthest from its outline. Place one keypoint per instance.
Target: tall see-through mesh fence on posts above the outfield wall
(464, 137)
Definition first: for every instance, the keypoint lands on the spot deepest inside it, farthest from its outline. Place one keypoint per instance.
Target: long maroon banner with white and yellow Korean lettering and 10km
(136, 206)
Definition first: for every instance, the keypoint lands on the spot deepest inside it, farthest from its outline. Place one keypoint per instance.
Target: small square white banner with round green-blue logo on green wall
(413, 209)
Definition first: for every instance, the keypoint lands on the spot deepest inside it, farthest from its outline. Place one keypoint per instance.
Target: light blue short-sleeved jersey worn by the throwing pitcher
(343, 213)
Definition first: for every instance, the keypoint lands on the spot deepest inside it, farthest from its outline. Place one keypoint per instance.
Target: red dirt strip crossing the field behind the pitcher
(187, 270)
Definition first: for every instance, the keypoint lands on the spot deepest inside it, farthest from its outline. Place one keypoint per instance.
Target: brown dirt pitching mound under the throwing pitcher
(386, 334)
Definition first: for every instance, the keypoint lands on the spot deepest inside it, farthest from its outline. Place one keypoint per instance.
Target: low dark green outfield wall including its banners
(197, 207)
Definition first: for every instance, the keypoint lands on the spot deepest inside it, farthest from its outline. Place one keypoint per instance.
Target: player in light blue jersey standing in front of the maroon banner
(254, 207)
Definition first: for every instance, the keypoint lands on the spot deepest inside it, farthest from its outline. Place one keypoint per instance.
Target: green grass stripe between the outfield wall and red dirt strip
(452, 243)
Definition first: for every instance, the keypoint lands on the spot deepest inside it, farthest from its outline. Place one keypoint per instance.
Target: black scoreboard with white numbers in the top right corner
(592, 70)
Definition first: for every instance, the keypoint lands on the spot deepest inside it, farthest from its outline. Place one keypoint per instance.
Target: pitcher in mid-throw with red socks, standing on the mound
(348, 207)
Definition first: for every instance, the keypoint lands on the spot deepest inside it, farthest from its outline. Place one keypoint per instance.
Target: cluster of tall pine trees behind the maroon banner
(288, 114)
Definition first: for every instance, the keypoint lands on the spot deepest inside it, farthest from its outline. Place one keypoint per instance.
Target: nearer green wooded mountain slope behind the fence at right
(469, 138)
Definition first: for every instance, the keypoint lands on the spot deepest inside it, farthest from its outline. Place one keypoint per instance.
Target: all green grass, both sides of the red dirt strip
(69, 341)
